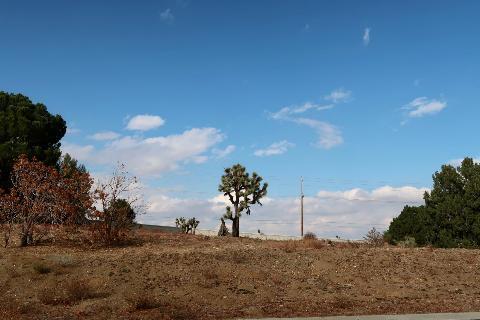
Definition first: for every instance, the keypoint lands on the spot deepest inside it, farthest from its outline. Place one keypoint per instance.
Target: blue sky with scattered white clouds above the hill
(363, 99)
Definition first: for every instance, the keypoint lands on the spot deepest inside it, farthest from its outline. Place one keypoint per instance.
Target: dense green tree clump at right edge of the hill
(451, 214)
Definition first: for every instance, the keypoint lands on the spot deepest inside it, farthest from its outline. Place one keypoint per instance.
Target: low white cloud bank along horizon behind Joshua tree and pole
(349, 213)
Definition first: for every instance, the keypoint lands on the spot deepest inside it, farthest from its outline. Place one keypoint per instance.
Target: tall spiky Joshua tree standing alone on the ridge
(243, 191)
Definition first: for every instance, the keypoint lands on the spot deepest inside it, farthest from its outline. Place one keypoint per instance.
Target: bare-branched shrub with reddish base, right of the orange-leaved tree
(113, 222)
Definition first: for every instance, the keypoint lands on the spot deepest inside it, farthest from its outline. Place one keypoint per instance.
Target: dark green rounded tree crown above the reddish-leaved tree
(27, 128)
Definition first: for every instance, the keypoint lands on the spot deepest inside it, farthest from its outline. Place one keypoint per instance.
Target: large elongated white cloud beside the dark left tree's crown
(151, 156)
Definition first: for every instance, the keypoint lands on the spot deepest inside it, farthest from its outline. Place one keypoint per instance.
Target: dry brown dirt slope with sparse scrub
(175, 276)
